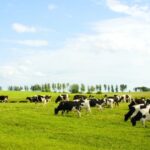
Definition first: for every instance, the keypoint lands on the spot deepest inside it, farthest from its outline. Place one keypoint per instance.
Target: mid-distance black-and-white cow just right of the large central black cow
(96, 103)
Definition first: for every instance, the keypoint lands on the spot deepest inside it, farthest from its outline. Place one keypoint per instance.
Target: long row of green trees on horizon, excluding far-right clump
(67, 87)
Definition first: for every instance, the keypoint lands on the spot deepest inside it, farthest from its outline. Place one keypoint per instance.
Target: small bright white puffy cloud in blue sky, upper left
(21, 28)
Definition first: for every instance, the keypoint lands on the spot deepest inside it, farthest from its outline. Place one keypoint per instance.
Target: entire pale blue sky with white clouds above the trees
(81, 41)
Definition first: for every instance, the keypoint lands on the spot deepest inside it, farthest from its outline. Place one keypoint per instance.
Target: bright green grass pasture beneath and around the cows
(34, 126)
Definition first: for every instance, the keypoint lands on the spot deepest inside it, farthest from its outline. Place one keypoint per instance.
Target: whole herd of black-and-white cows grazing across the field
(139, 109)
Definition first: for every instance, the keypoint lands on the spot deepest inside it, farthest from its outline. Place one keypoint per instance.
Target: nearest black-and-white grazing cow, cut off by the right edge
(143, 114)
